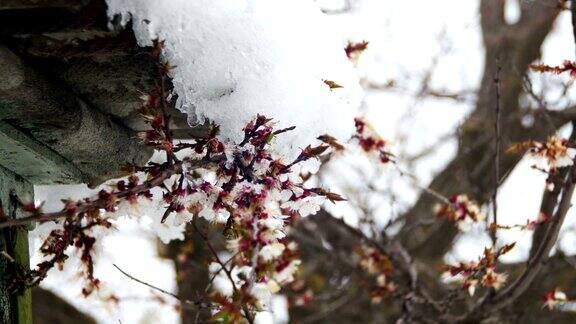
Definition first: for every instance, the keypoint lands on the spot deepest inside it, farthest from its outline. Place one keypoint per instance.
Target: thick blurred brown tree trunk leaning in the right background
(466, 173)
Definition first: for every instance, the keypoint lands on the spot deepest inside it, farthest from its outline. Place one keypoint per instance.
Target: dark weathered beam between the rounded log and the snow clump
(106, 68)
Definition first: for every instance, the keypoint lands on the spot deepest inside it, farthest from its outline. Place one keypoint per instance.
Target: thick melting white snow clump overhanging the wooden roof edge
(238, 58)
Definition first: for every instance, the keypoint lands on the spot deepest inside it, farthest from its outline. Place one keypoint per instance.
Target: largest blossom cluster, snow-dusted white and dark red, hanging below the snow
(242, 188)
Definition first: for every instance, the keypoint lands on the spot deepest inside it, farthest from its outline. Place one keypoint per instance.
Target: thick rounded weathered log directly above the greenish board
(51, 115)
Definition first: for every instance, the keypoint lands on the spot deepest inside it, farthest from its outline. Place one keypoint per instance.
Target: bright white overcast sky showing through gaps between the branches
(404, 38)
